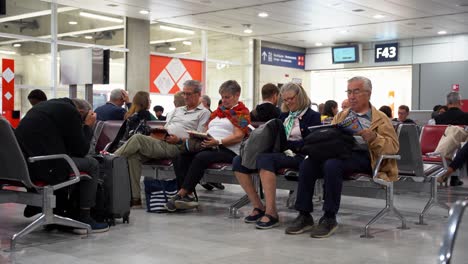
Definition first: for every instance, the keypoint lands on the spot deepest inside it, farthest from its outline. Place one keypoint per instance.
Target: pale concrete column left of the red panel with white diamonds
(138, 57)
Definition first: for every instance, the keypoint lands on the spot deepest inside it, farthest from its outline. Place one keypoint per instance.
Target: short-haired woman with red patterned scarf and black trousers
(227, 127)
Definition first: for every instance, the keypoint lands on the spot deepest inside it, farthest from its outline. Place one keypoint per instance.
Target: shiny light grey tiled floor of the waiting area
(208, 236)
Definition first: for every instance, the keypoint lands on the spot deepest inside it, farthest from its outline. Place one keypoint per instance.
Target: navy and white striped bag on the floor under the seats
(157, 194)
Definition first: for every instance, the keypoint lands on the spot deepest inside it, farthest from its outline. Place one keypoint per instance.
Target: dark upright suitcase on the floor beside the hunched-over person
(115, 189)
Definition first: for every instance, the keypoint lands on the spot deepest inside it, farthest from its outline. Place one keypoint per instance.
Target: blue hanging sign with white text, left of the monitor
(283, 58)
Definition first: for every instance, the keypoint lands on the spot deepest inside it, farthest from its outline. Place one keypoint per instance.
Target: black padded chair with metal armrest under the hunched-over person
(14, 172)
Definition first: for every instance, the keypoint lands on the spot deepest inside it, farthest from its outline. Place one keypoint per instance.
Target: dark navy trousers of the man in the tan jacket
(332, 171)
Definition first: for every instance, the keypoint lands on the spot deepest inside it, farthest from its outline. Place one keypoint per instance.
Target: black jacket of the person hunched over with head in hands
(53, 127)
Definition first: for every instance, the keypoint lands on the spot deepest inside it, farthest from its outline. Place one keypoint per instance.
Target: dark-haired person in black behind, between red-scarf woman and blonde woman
(267, 109)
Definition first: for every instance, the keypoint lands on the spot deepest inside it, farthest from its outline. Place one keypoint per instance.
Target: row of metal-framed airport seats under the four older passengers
(418, 173)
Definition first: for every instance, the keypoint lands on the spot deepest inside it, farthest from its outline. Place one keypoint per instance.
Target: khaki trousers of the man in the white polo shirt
(139, 149)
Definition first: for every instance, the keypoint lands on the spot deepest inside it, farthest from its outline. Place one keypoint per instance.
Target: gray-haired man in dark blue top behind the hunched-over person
(113, 109)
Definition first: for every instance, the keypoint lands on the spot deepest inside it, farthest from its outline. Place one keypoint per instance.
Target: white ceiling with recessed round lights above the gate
(300, 23)
